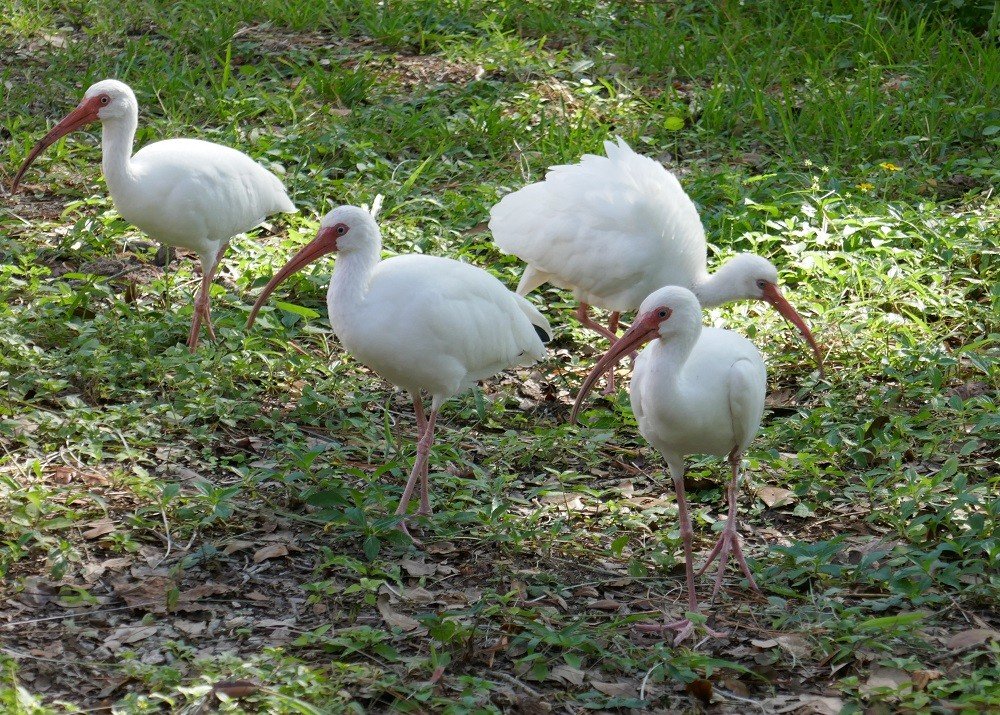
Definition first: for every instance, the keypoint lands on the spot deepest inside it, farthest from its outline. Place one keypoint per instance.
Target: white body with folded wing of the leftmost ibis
(188, 189)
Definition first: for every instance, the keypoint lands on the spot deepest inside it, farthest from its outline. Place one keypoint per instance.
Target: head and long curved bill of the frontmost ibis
(665, 313)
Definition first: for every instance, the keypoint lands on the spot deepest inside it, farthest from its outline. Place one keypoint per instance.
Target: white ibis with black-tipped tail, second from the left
(423, 323)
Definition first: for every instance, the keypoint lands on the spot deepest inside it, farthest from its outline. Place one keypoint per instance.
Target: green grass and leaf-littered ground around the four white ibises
(855, 144)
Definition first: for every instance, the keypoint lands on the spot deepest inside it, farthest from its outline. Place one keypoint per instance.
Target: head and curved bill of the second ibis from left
(345, 229)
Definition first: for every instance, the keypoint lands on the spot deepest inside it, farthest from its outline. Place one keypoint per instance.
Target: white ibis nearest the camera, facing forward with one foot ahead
(694, 390)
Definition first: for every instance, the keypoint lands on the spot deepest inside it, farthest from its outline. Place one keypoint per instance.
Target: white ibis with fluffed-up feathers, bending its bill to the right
(614, 229)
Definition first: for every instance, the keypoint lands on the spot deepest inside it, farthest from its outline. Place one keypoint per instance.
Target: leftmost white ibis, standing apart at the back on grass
(182, 192)
